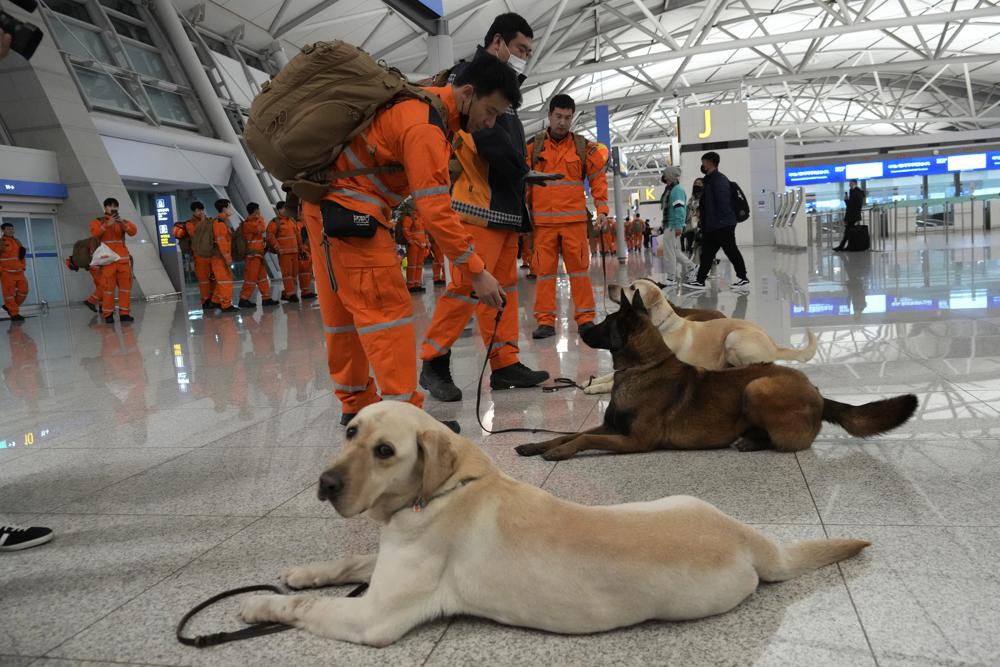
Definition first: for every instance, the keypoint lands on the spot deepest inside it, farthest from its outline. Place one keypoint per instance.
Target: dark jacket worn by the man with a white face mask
(505, 148)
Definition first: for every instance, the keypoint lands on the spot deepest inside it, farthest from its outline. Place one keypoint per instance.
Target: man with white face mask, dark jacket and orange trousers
(488, 196)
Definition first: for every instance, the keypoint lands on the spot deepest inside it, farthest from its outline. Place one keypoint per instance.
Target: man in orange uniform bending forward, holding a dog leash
(367, 311)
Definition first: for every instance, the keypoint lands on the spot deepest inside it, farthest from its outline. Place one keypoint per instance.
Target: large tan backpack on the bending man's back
(318, 103)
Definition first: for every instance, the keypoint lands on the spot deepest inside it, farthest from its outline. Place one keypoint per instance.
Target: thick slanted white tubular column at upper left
(247, 180)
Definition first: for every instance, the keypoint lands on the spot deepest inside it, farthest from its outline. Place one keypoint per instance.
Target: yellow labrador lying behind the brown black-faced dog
(713, 344)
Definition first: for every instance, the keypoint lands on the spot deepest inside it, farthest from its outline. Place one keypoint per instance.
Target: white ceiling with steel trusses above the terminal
(810, 70)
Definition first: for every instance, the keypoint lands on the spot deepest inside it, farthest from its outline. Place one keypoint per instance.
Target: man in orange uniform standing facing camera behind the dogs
(559, 213)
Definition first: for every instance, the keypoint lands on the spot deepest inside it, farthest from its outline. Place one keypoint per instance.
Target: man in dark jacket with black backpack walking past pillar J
(718, 224)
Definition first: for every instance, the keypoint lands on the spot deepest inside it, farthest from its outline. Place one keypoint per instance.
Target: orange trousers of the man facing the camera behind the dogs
(572, 239)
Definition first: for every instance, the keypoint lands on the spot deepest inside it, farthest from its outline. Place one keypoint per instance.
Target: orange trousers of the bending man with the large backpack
(367, 316)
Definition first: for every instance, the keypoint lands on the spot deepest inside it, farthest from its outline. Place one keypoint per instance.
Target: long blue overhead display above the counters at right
(914, 166)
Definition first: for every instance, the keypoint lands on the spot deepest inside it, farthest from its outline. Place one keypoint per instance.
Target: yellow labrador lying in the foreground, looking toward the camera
(461, 537)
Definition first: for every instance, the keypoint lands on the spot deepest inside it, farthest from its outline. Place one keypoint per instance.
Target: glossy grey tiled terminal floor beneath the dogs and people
(177, 457)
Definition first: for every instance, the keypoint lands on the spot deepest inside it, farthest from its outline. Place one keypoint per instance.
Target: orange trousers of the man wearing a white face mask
(498, 249)
